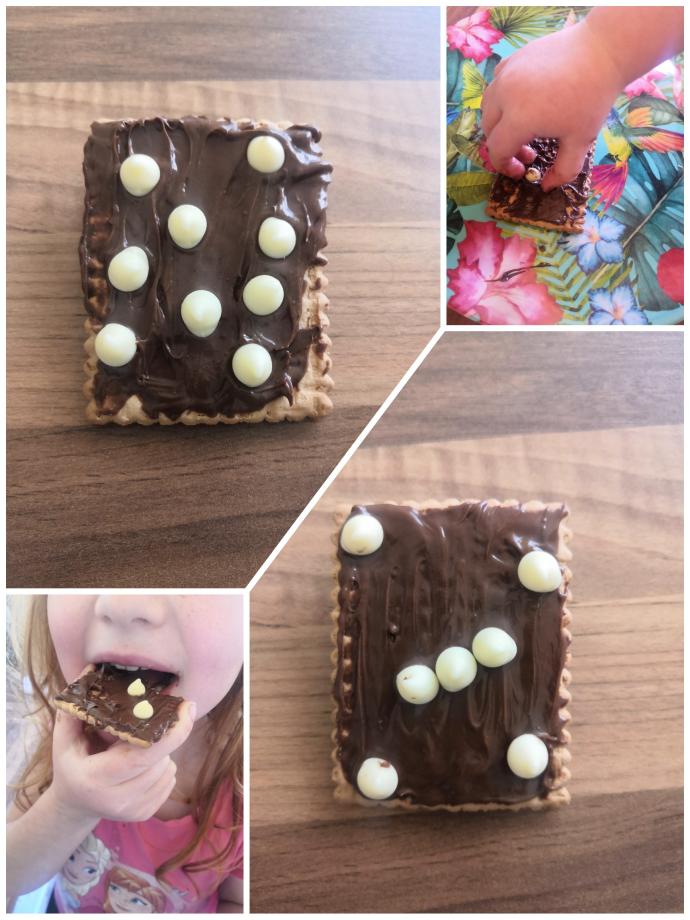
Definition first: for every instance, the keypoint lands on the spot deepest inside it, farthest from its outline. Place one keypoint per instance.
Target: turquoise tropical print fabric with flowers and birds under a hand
(626, 266)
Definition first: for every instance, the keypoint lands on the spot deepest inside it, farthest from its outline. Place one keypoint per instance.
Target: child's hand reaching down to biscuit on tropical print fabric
(562, 85)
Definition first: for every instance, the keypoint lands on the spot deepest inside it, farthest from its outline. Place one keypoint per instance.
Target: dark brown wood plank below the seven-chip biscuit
(605, 853)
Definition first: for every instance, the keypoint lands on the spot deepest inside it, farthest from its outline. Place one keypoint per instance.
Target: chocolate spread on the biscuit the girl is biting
(100, 698)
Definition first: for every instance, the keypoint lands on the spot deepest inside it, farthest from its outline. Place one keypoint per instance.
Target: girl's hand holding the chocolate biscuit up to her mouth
(122, 783)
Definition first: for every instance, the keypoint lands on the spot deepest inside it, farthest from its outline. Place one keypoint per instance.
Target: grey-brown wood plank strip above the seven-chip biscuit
(539, 381)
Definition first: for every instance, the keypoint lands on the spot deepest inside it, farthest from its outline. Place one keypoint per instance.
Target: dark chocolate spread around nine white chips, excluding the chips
(203, 163)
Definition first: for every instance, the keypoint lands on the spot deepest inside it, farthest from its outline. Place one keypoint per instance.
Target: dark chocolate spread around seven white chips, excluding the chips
(440, 576)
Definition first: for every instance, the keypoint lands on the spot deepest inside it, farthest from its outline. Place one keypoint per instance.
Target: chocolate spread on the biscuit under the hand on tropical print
(521, 202)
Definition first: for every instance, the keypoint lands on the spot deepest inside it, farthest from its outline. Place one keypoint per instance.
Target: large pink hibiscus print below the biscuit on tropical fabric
(495, 281)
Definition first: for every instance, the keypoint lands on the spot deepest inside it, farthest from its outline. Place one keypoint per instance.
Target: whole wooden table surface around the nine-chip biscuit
(203, 507)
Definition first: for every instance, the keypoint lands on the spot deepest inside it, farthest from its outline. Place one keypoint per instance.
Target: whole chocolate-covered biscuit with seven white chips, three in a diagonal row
(451, 646)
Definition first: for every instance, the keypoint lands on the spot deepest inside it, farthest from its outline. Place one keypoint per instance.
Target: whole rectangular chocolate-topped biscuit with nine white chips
(179, 366)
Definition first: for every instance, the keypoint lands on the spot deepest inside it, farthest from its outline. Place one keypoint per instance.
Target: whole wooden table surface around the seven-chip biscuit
(595, 420)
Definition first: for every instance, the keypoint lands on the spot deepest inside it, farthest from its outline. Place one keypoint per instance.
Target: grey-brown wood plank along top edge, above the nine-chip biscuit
(222, 43)
